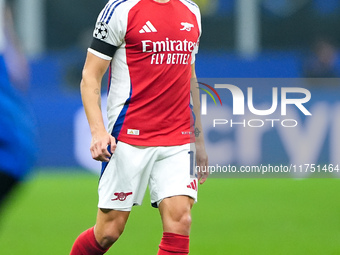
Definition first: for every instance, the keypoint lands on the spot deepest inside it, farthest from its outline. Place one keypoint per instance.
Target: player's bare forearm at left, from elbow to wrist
(91, 97)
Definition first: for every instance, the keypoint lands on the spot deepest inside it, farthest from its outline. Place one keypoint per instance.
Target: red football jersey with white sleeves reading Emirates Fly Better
(149, 91)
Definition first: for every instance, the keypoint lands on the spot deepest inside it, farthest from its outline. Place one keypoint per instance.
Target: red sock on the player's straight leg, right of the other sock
(173, 243)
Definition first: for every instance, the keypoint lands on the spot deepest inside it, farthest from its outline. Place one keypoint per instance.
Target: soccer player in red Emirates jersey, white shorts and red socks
(150, 46)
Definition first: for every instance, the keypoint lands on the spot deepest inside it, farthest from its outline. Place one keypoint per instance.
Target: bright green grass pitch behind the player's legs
(233, 216)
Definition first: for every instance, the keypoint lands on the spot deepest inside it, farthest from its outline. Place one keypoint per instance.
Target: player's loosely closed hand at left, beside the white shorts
(99, 146)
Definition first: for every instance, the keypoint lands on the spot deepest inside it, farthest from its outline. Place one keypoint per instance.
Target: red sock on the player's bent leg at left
(86, 244)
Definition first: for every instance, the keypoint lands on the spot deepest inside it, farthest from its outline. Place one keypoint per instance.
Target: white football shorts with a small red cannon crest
(169, 171)
